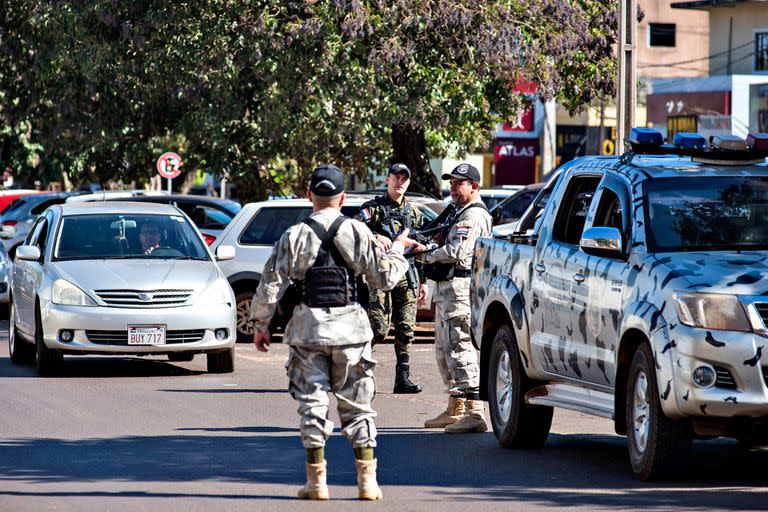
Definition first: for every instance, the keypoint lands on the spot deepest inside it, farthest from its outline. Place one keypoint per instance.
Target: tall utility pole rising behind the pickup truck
(626, 98)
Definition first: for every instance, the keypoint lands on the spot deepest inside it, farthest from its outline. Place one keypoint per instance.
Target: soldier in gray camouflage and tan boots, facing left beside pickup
(450, 266)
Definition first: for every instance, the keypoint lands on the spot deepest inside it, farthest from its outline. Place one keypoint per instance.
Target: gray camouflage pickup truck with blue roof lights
(635, 288)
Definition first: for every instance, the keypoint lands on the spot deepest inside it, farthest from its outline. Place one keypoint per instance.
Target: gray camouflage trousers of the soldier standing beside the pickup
(456, 356)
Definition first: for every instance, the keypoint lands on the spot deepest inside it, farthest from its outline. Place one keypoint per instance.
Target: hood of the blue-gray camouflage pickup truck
(732, 272)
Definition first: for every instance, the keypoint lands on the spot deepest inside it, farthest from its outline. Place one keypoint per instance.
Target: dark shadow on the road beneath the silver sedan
(112, 366)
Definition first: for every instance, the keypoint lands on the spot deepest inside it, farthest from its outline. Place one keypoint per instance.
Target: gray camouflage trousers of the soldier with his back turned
(347, 372)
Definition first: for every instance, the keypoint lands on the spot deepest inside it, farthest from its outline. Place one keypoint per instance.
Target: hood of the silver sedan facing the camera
(90, 275)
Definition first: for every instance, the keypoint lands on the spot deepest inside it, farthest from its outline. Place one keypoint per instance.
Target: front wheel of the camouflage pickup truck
(656, 443)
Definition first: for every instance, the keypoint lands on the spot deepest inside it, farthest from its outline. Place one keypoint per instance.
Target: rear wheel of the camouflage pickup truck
(516, 424)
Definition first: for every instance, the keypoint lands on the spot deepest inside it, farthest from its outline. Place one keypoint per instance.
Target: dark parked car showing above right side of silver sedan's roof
(210, 214)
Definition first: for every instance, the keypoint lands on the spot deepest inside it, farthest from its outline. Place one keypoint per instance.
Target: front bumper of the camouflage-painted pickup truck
(740, 360)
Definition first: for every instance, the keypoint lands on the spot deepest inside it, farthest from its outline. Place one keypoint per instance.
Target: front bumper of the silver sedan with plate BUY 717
(98, 330)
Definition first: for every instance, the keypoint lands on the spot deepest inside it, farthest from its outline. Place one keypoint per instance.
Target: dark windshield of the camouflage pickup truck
(705, 214)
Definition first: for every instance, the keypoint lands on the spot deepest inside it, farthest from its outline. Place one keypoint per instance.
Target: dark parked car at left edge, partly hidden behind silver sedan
(18, 218)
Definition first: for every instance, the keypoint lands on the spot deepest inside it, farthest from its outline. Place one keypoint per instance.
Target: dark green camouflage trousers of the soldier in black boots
(398, 306)
